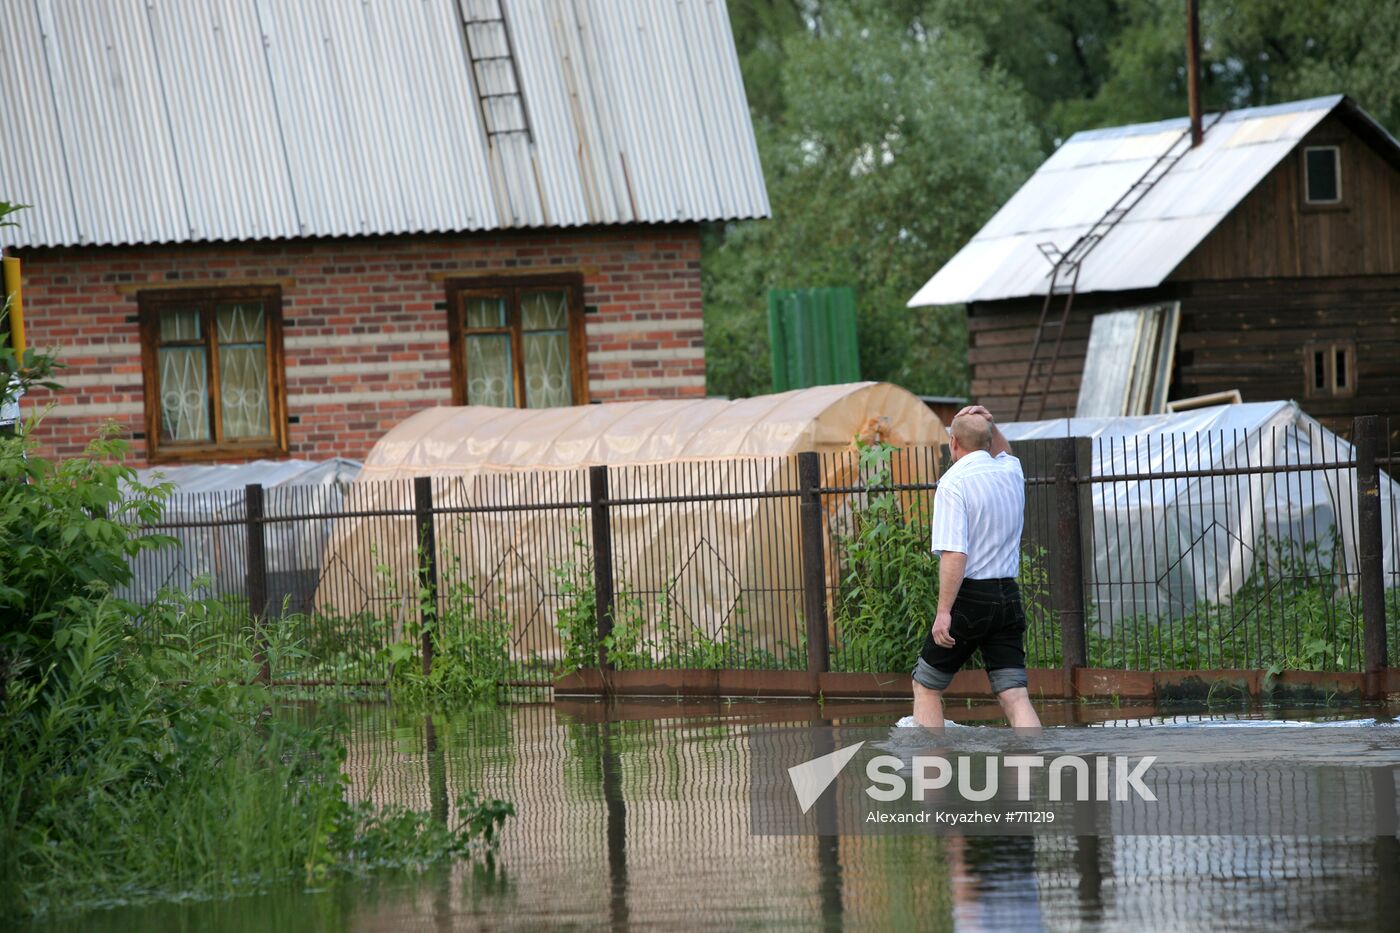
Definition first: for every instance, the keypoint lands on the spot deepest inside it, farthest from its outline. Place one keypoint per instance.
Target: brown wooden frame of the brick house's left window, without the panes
(156, 302)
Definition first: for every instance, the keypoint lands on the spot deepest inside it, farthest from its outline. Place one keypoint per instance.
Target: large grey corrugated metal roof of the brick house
(169, 121)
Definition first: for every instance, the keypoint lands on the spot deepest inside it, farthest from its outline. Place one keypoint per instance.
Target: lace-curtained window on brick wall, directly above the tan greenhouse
(519, 343)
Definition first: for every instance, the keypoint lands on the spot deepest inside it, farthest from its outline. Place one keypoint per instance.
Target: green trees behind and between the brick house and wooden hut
(890, 131)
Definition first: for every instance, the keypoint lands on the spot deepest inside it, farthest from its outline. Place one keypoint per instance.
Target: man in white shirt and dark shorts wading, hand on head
(979, 513)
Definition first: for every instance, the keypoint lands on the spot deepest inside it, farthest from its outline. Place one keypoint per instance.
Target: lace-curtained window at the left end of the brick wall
(213, 372)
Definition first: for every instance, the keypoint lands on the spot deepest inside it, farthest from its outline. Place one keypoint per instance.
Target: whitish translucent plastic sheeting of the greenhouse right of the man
(1164, 546)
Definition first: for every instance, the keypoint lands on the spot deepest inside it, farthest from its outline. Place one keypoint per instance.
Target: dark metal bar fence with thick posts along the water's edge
(1219, 550)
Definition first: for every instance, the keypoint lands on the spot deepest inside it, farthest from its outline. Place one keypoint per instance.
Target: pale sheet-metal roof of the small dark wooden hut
(1093, 170)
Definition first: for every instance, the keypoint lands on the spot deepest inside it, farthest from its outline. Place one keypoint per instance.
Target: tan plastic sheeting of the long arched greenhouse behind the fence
(514, 457)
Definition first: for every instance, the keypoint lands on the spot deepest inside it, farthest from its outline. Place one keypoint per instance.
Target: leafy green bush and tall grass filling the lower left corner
(134, 767)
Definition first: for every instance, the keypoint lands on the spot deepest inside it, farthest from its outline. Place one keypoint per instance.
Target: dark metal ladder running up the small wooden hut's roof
(1065, 272)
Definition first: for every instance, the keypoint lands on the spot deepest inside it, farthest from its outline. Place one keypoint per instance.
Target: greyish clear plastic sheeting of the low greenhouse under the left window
(212, 558)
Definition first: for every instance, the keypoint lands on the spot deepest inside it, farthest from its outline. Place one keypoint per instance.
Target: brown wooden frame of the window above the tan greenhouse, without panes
(510, 288)
